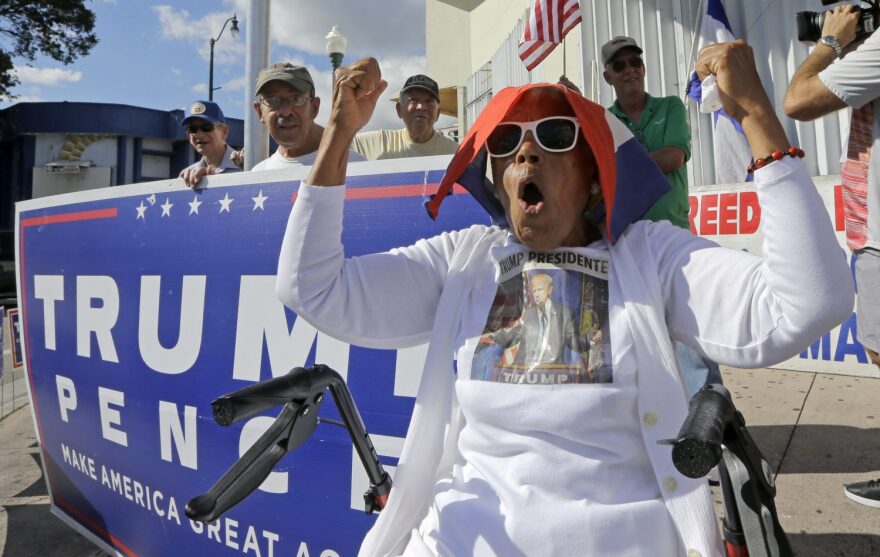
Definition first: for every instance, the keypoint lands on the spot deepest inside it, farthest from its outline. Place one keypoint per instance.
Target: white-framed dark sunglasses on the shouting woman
(555, 134)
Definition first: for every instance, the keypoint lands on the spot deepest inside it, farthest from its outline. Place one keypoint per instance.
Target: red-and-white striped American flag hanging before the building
(548, 24)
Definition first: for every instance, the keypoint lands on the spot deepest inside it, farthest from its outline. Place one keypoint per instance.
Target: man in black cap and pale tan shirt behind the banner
(419, 108)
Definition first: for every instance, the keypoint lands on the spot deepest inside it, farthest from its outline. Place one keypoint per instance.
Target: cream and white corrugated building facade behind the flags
(472, 44)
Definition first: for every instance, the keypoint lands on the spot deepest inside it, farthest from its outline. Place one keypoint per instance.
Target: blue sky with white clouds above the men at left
(154, 53)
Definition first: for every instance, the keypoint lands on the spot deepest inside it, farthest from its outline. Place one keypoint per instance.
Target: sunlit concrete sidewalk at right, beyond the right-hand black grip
(819, 432)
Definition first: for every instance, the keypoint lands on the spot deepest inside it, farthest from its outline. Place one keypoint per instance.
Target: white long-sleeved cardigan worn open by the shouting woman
(736, 308)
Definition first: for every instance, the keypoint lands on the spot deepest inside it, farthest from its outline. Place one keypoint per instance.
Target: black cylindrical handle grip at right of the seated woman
(697, 449)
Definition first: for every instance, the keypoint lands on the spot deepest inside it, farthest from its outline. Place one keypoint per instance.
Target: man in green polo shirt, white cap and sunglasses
(659, 123)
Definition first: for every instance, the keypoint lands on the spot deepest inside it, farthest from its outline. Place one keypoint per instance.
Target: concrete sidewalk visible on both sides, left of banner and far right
(818, 431)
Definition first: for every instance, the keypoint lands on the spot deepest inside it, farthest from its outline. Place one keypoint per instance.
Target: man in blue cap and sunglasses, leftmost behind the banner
(206, 128)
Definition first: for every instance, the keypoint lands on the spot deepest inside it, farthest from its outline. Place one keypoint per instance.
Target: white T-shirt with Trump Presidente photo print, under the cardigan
(551, 441)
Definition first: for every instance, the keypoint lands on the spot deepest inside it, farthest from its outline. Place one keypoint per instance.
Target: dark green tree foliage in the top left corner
(60, 29)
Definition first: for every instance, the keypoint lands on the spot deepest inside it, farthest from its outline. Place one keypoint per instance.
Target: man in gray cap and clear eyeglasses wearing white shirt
(287, 105)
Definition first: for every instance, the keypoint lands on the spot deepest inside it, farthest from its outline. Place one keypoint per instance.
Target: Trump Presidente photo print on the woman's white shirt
(548, 323)
